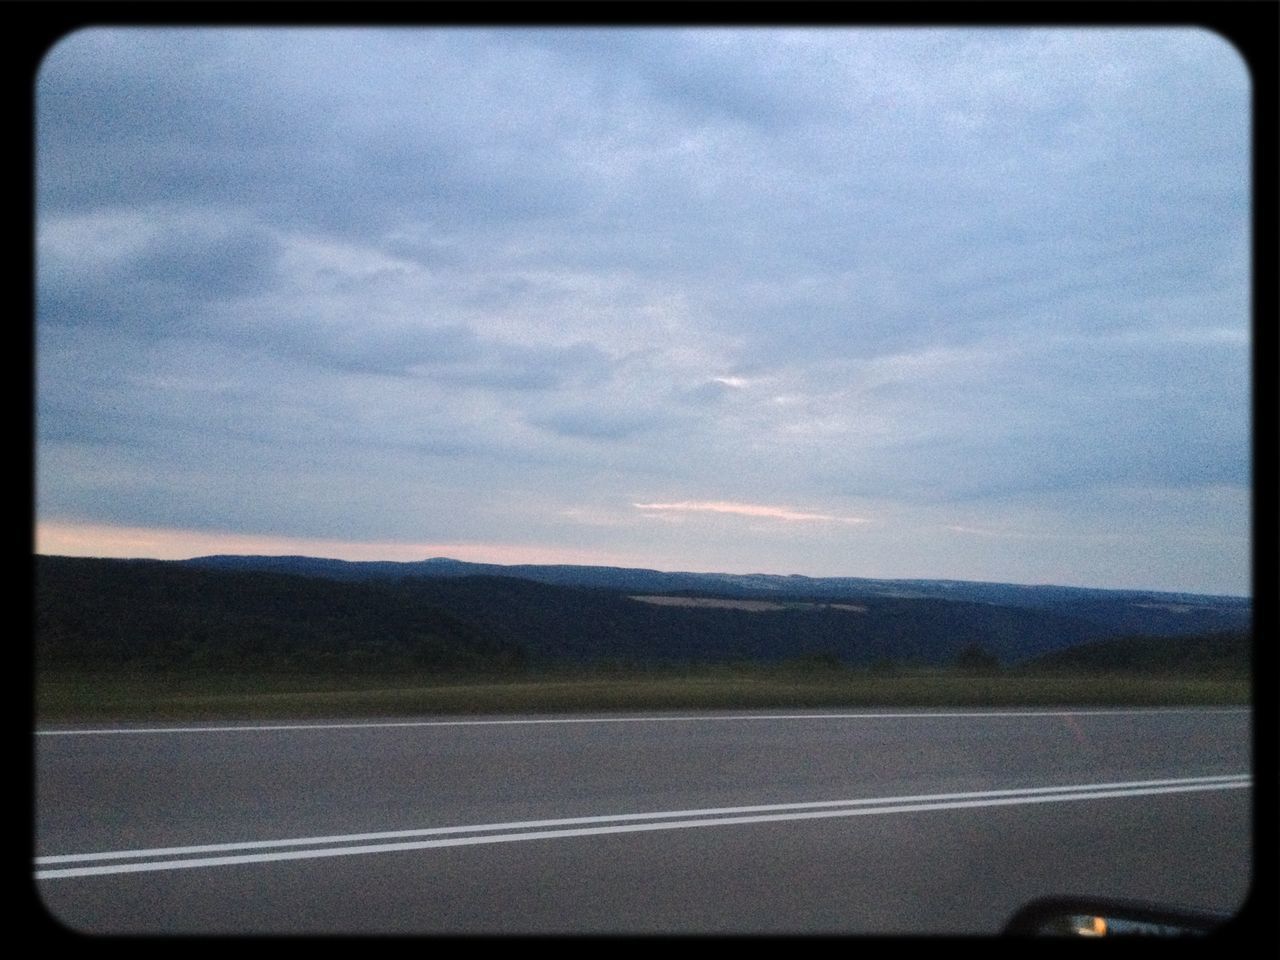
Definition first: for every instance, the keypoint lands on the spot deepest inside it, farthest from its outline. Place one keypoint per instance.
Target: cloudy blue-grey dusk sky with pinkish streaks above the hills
(963, 304)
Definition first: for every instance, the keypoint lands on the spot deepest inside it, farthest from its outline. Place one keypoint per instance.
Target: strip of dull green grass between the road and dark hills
(85, 697)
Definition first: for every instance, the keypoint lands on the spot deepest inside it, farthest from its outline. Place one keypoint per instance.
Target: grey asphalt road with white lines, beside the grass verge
(857, 822)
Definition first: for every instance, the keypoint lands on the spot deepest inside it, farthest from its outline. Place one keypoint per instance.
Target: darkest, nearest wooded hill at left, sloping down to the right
(152, 615)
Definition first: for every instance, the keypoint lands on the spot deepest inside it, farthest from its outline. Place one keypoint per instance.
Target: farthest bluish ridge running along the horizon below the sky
(1107, 612)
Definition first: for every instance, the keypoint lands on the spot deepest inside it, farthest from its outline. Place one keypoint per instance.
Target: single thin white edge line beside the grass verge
(540, 721)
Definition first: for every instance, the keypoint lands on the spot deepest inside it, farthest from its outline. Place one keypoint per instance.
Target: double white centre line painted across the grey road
(177, 858)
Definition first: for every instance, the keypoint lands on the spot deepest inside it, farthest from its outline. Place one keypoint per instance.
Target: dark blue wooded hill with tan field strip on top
(583, 624)
